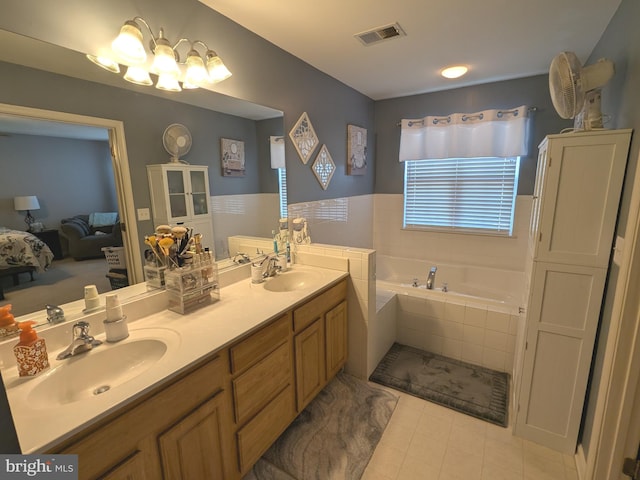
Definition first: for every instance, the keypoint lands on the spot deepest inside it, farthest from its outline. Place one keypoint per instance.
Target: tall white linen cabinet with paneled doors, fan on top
(575, 204)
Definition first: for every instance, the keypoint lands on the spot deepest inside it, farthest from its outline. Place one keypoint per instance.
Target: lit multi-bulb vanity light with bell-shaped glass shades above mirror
(173, 72)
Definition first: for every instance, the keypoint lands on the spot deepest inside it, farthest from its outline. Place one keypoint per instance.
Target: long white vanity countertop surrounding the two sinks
(243, 307)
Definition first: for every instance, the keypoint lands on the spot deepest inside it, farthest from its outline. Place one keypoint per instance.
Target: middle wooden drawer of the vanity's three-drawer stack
(257, 386)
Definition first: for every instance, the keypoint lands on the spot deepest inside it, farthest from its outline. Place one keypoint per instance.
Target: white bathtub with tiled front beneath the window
(476, 320)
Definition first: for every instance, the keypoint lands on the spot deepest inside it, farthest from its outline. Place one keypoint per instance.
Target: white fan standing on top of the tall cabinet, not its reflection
(576, 90)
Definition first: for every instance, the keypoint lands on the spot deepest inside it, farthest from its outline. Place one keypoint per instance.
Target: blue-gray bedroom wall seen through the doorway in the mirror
(68, 176)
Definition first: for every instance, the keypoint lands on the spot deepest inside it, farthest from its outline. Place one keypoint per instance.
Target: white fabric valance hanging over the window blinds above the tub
(490, 133)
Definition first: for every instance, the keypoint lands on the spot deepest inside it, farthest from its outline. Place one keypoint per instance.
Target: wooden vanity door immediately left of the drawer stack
(193, 447)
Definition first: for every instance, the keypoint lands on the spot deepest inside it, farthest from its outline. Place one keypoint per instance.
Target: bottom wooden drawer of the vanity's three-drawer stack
(258, 435)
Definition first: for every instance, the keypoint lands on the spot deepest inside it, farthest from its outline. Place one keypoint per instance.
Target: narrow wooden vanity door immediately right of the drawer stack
(310, 363)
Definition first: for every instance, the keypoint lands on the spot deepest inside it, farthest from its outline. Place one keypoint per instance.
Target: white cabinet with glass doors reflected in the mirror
(180, 196)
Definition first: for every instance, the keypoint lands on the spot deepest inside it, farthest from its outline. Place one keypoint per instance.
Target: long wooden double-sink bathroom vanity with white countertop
(241, 371)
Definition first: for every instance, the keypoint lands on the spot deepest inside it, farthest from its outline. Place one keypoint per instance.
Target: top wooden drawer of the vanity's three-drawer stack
(261, 343)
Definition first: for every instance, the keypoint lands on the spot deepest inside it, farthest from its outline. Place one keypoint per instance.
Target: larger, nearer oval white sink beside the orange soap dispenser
(102, 369)
